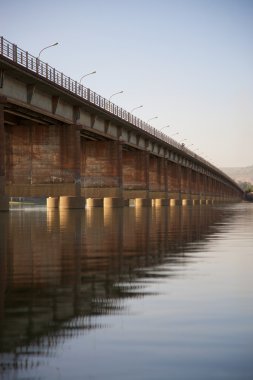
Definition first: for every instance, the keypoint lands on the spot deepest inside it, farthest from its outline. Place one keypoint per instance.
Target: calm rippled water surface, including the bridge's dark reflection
(127, 294)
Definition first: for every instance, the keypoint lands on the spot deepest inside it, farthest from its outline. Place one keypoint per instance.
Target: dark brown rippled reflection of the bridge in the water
(62, 269)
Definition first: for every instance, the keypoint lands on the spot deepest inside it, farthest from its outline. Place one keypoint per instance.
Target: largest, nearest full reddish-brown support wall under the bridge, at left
(42, 160)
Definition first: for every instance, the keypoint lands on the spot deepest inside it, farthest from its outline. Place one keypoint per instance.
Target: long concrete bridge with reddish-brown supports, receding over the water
(61, 140)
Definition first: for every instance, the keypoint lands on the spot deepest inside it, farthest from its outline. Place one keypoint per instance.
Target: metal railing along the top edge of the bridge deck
(42, 69)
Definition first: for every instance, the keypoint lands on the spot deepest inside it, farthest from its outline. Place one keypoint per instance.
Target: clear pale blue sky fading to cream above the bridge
(188, 62)
